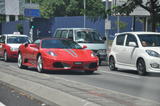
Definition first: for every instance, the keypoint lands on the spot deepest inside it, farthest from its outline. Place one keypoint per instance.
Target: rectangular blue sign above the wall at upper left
(32, 12)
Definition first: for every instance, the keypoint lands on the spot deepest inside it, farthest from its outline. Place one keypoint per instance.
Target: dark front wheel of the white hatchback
(141, 67)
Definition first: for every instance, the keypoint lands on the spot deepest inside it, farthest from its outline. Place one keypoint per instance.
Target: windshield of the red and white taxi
(17, 39)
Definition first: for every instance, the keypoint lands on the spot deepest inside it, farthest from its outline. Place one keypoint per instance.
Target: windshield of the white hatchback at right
(149, 40)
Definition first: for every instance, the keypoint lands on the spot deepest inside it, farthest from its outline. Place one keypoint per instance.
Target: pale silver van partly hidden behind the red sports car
(85, 36)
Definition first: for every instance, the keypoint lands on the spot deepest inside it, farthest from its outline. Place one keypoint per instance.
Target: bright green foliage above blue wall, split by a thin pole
(53, 8)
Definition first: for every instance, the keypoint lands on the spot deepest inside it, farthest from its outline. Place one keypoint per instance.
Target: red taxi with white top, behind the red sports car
(9, 44)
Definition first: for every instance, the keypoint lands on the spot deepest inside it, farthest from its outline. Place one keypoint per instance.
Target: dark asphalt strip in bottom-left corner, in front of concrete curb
(13, 97)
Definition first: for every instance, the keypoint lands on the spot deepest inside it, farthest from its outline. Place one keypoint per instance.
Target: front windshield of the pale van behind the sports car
(88, 36)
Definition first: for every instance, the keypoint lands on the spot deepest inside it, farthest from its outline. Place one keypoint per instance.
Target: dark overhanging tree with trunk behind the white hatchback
(152, 6)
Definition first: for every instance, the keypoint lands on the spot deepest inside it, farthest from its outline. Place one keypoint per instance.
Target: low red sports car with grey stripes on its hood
(57, 54)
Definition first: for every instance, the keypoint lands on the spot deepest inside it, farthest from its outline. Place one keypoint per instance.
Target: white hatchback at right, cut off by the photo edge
(136, 51)
